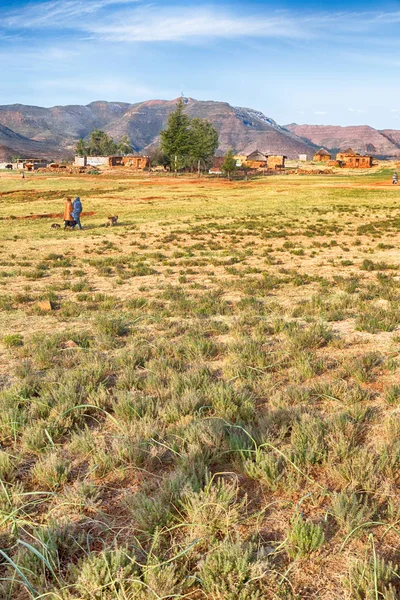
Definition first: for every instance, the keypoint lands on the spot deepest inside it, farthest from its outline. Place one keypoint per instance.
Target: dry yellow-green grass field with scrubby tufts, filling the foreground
(203, 401)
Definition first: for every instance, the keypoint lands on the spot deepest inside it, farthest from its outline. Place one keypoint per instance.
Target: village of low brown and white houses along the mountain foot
(255, 162)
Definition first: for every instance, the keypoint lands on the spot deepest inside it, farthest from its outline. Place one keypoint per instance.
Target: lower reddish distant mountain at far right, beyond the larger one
(362, 138)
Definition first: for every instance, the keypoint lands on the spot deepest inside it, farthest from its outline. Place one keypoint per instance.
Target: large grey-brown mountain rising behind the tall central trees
(57, 129)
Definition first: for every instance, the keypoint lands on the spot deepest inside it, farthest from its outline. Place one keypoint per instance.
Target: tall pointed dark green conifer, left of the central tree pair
(175, 139)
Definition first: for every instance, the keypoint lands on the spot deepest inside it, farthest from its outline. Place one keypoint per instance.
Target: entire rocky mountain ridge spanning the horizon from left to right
(53, 132)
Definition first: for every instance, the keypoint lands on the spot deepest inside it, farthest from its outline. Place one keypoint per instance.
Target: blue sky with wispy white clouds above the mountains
(332, 63)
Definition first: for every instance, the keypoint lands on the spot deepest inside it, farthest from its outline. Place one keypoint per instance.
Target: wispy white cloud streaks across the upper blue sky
(134, 21)
